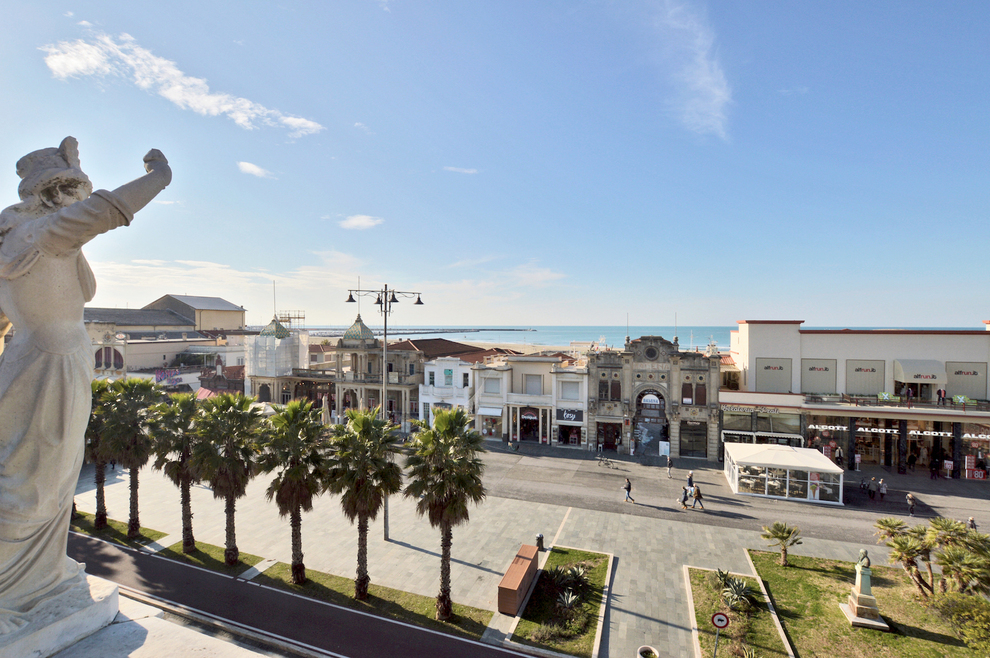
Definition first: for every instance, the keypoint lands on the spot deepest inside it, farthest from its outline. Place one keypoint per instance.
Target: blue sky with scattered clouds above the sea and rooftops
(528, 163)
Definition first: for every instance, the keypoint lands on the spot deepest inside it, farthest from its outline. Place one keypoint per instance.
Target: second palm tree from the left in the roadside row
(128, 413)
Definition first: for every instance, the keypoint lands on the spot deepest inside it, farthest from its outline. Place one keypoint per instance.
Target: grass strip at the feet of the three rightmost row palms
(392, 603)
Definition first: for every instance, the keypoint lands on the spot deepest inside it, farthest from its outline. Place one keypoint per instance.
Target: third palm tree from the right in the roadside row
(293, 444)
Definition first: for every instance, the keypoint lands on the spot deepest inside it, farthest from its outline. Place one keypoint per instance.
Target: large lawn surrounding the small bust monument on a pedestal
(807, 596)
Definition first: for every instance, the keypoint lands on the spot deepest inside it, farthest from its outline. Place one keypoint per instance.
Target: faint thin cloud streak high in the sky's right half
(701, 92)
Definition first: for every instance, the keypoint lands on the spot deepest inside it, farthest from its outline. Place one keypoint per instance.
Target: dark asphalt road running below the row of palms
(330, 628)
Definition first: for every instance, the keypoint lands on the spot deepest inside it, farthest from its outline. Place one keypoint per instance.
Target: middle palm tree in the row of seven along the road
(226, 456)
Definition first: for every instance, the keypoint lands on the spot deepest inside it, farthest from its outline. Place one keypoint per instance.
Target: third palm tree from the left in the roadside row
(174, 436)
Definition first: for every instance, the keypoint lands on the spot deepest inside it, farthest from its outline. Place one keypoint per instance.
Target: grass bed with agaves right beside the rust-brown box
(577, 637)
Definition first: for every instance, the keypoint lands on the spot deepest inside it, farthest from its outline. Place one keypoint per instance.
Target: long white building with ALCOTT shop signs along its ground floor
(874, 393)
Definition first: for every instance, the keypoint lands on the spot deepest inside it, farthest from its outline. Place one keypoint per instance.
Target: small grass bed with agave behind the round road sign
(755, 630)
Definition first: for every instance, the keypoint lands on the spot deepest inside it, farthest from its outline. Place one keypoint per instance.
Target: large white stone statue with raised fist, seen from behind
(46, 370)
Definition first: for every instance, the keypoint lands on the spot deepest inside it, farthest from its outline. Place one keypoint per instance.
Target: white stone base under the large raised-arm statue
(62, 620)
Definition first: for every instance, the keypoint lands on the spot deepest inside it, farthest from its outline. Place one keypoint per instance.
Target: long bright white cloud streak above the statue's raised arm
(103, 56)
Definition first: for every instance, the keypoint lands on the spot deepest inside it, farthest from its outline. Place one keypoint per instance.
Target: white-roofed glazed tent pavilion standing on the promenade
(777, 471)
